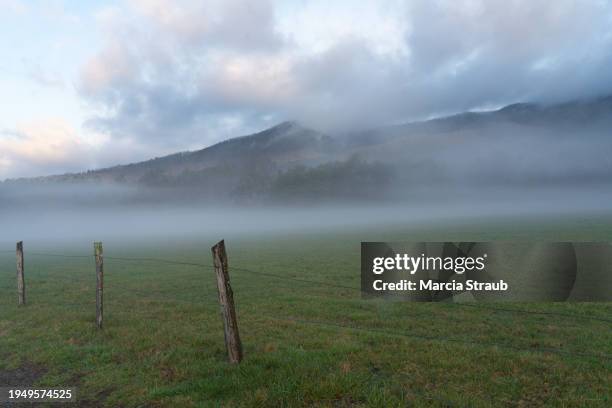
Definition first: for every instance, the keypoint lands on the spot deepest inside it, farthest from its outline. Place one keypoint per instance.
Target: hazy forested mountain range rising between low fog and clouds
(520, 144)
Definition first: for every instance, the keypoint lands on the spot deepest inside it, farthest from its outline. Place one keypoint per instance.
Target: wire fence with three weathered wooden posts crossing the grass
(225, 300)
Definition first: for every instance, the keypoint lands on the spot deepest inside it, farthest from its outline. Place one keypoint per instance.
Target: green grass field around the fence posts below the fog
(305, 343)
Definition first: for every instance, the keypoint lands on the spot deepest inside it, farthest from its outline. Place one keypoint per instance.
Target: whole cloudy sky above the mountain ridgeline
(90, 83)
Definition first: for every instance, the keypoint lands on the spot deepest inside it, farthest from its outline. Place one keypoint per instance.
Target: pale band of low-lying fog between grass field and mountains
(89, 216)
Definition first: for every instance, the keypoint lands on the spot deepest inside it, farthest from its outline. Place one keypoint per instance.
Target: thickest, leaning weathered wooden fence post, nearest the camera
(226, 301)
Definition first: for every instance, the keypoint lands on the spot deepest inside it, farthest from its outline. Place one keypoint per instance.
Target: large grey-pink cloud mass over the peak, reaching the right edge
(176, 73)
